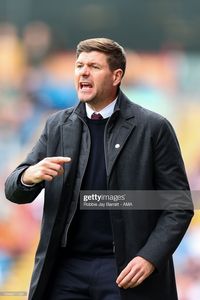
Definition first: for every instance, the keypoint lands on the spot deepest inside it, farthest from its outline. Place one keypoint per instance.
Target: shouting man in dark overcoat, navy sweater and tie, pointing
(107, 254)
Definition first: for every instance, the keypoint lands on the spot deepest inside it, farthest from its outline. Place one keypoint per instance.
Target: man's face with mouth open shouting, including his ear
(95, 82)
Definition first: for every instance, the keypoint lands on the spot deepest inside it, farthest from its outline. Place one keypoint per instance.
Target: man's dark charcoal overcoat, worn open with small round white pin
(147, 157)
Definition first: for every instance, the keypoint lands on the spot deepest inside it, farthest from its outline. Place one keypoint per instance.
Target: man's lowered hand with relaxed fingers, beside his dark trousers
(135, 273)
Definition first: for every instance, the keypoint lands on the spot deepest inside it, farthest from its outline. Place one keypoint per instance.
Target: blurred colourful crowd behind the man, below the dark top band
(36, 79)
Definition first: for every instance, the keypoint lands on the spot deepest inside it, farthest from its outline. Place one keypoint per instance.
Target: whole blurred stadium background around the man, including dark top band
(37, 44)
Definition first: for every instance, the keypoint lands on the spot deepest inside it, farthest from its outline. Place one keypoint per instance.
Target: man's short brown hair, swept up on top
(115, 53)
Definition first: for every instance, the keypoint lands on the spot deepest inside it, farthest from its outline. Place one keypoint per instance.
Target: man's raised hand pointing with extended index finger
(46, 169)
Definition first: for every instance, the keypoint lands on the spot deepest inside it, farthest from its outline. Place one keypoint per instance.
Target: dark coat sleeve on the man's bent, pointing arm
(14, 190)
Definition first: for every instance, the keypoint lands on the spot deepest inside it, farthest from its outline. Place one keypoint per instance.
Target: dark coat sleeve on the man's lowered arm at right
(169, 174)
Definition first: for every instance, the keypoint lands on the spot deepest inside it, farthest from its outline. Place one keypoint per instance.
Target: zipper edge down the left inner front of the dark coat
(64, 238)
